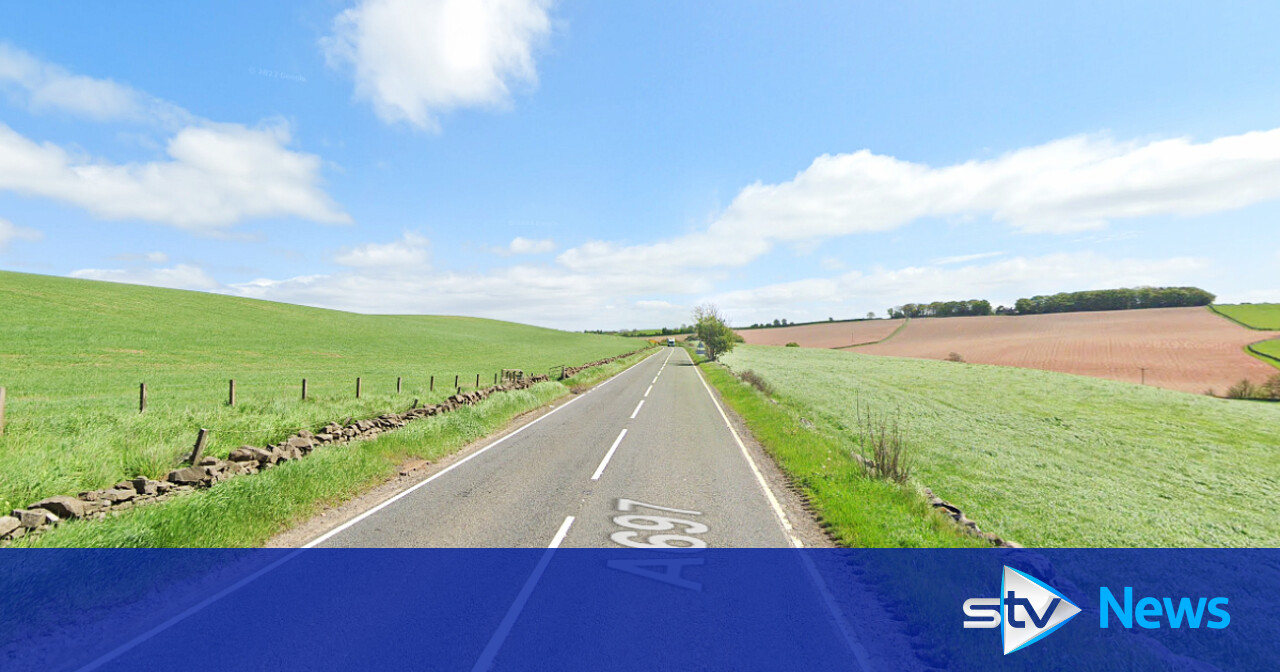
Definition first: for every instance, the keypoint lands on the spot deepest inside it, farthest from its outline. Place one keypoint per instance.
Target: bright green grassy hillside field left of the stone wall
(74, 353)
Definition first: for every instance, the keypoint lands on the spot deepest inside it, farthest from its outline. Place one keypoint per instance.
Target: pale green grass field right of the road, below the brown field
(1048, 459)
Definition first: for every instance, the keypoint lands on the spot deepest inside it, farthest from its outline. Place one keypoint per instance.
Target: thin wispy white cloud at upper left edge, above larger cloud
(44, 86)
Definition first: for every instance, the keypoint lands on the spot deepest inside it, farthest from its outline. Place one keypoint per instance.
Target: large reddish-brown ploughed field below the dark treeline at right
(1190, 350)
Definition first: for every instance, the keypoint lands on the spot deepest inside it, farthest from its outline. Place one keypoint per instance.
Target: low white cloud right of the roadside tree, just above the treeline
(1003, 282)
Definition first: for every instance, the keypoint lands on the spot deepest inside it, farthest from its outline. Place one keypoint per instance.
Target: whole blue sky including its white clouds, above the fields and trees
(610, 166)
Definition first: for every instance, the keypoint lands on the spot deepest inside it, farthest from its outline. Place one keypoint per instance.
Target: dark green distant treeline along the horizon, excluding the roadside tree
(1087, 301)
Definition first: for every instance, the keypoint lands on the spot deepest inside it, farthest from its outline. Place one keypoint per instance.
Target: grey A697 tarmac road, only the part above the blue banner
(646, 454)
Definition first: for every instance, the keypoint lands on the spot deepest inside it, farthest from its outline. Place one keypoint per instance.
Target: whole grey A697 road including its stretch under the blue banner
(647, 460)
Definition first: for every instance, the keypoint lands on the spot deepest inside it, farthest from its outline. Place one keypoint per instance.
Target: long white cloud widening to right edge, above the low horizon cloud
(1072, 185)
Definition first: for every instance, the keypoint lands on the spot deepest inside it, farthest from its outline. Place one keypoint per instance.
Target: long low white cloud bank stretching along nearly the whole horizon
(395, 278)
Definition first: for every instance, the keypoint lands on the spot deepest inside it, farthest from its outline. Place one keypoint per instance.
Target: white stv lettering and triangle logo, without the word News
(1026, 611)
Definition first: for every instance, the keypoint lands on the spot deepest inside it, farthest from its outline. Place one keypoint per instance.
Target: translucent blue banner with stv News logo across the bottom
(570, 610)
